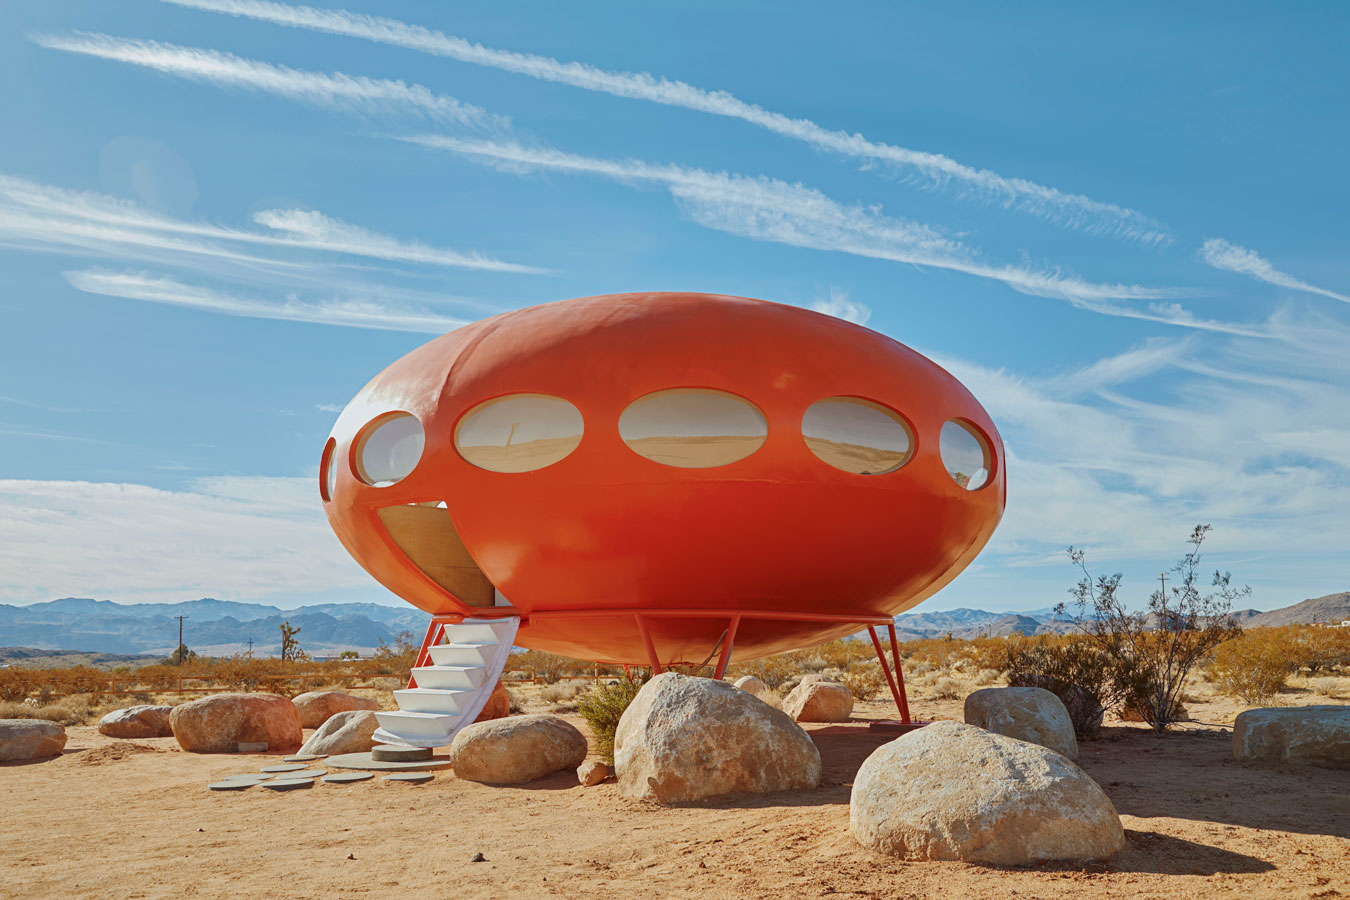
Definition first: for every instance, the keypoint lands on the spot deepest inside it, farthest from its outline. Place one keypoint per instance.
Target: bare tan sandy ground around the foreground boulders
(134, 820)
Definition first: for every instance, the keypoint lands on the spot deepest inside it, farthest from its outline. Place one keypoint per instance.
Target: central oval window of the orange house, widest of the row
(693, 427)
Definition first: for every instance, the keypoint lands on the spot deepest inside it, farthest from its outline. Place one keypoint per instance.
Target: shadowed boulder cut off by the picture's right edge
(1312, 735)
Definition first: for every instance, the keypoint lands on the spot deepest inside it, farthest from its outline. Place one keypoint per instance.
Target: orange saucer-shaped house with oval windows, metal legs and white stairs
(655, 480)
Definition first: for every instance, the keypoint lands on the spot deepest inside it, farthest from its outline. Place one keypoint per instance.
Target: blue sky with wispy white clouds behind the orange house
(1124, 230)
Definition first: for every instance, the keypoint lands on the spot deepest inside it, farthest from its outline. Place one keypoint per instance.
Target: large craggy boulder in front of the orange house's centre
(685, 739)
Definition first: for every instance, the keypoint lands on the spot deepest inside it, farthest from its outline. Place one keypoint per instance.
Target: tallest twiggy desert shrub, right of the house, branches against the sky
(1154, 651)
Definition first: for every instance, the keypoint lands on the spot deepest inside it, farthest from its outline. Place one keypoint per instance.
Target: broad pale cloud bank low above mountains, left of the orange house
(236, 538)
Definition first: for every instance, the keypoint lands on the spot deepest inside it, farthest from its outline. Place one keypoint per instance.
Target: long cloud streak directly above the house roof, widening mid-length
(792, 214)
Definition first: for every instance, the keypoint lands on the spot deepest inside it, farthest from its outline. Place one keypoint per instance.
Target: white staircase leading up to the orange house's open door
(450, 693)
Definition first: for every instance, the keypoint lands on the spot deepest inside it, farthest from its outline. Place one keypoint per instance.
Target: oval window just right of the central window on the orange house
(857, 435)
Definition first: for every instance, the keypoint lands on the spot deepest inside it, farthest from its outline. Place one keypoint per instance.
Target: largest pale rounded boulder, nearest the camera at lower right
(952, 791)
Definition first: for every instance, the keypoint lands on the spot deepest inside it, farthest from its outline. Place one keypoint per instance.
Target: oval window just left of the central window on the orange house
(519, 432)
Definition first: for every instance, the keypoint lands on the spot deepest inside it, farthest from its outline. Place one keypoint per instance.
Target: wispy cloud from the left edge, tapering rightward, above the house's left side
(34, 215)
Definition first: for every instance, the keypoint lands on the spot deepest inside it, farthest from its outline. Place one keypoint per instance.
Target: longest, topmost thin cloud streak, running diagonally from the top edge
(1071, 210)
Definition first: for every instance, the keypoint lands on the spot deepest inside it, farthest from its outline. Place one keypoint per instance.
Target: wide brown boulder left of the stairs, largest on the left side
(219, 724)
